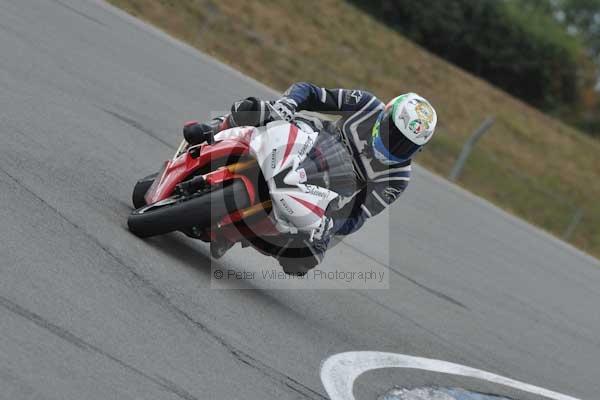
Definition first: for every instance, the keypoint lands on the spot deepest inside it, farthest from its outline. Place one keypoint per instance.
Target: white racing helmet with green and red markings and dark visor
(405, 125)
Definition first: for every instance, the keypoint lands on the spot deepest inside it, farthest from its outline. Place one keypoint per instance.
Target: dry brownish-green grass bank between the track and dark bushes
(529, 164)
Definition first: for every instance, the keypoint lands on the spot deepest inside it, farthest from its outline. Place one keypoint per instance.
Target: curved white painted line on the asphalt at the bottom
(339, 372)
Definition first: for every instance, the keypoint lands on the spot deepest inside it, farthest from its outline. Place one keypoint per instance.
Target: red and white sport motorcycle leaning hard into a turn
(269, 187)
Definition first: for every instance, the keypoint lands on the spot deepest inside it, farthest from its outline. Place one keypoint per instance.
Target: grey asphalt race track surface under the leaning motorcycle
(91, 100)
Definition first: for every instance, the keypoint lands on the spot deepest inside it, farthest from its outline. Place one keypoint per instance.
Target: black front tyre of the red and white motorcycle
(176, 213)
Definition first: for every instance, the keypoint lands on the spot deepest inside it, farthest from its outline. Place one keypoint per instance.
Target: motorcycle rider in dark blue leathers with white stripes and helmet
(382, 139)
